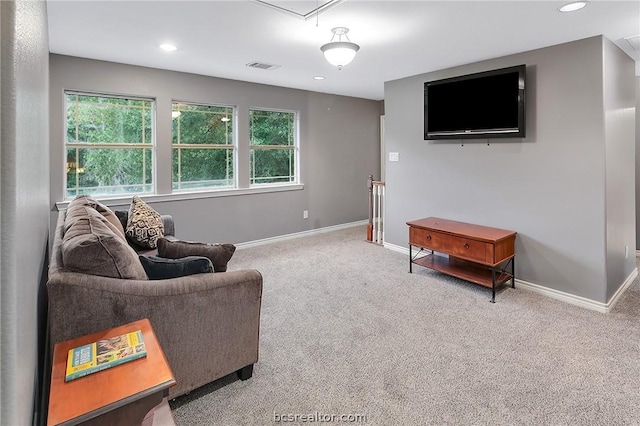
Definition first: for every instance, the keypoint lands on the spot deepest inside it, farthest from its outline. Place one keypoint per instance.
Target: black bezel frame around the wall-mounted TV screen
(518, 132)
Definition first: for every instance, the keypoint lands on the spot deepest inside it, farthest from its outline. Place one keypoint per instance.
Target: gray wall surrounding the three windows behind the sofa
(339, 148)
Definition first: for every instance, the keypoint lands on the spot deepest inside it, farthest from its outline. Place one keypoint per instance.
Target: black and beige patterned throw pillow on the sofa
(144, 224)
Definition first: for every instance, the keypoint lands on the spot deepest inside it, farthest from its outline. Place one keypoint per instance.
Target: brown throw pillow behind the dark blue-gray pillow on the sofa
(219, 254)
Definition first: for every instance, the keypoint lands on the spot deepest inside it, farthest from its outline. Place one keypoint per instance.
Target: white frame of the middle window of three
(234, 148)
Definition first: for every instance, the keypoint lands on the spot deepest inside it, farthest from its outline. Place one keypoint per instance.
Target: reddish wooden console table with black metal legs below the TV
(478, 254)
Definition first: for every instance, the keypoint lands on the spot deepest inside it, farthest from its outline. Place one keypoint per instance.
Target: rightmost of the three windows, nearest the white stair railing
(273, 146)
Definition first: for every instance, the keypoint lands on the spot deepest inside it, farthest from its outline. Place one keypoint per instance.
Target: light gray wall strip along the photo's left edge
(24, 201)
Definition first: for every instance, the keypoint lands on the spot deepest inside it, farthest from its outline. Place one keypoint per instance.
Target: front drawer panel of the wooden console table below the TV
(451, 244)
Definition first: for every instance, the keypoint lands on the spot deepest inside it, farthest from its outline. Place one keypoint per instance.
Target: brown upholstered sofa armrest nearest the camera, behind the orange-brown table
(207, 324)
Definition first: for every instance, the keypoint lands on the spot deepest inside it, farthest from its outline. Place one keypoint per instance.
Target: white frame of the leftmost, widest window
(151, 145)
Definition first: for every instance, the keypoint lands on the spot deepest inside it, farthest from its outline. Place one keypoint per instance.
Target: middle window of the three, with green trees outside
(203, 146)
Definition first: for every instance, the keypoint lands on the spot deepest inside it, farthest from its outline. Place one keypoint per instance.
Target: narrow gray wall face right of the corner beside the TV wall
(619, 120)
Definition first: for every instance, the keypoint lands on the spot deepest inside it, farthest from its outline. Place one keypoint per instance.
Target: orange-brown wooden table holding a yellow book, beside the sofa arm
(123, 394)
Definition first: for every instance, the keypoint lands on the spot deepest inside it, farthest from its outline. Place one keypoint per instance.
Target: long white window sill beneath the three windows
(191, 195)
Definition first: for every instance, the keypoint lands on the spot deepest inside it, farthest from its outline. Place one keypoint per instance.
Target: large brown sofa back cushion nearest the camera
(91, 246)
